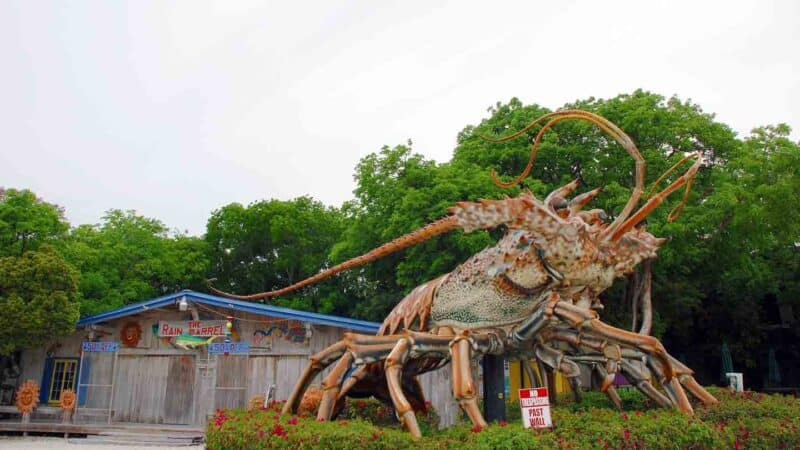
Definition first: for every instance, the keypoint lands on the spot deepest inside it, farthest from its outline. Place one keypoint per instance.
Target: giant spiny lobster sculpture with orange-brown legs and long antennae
(533, 296)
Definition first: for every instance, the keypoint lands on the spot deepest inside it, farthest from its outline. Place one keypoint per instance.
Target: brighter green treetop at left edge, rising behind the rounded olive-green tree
(26, 222)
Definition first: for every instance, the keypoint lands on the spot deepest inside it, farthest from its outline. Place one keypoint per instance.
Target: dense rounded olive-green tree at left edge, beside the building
(39, 298)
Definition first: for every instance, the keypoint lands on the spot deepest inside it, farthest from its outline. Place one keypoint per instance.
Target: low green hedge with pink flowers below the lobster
(748, 420)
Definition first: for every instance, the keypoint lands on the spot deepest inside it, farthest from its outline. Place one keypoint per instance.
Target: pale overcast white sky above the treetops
(177, 108)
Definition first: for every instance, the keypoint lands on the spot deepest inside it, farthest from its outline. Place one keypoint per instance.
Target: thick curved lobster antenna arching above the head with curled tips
(604, 124)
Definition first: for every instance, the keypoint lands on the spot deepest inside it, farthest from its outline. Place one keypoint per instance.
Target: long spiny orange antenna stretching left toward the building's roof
(433, 229)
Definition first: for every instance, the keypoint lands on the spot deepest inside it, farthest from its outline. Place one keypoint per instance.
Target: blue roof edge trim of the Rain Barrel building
(237, 305)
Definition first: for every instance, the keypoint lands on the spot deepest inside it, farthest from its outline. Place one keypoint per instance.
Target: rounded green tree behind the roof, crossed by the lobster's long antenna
(271, 244)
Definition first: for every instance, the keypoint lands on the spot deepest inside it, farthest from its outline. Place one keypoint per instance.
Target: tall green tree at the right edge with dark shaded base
(752, 239)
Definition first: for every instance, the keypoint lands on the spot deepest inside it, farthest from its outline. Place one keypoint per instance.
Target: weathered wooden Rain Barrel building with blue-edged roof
(174, 360)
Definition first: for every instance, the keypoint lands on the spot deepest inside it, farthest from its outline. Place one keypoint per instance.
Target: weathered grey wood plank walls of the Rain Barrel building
(157, 383)
